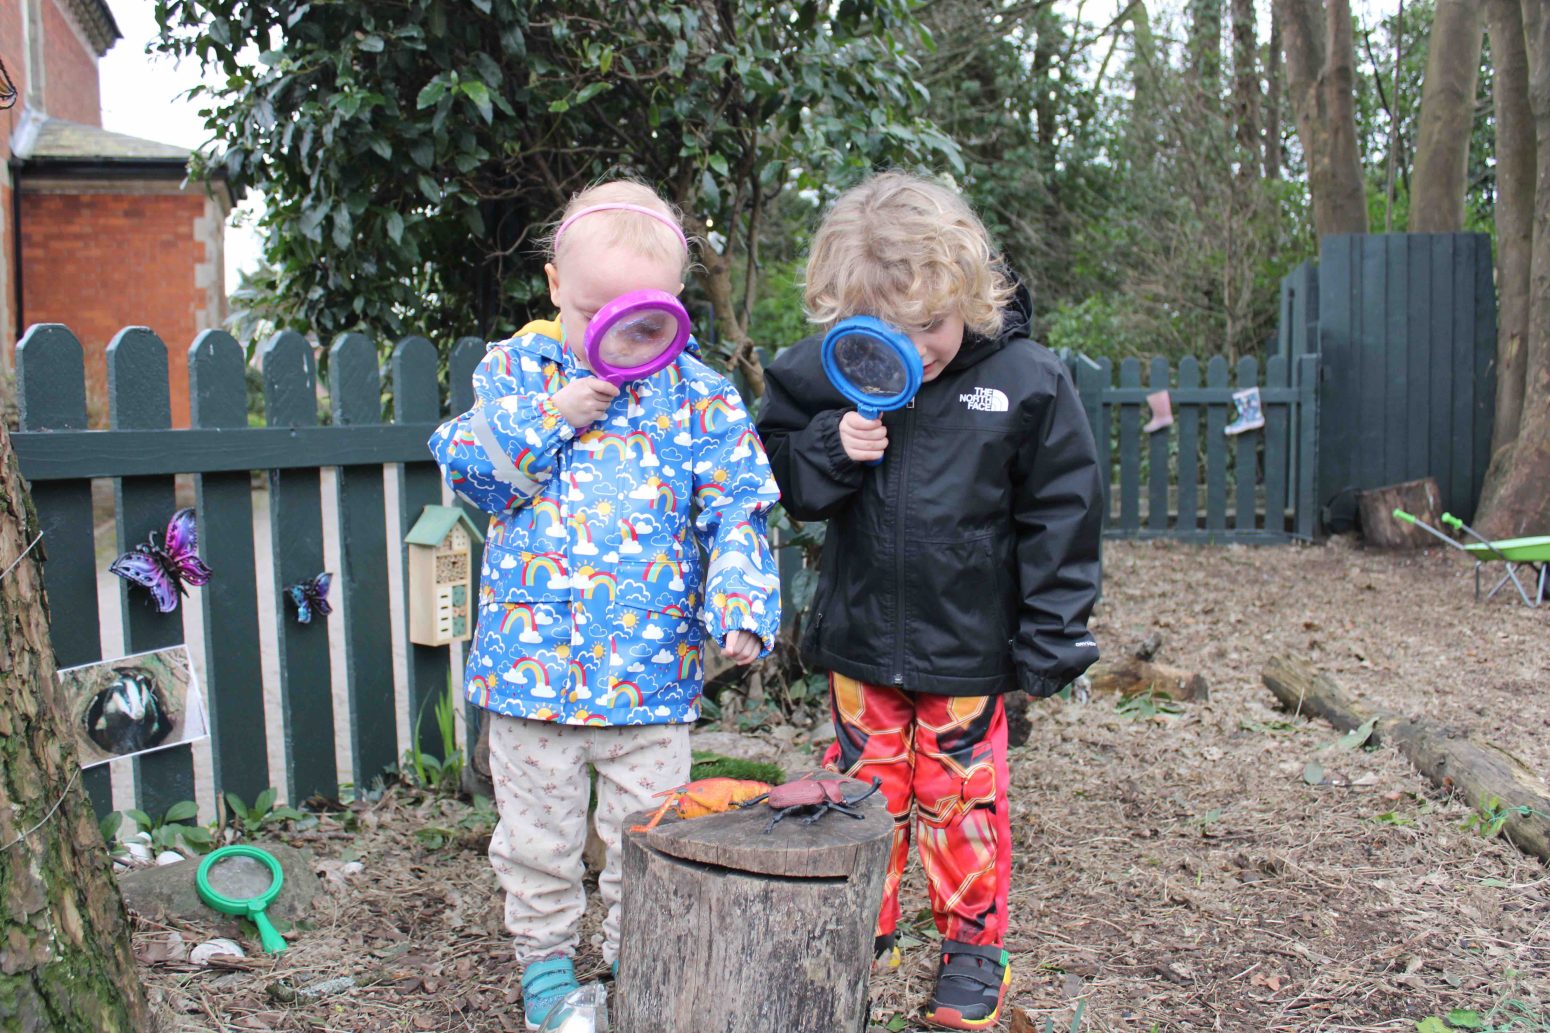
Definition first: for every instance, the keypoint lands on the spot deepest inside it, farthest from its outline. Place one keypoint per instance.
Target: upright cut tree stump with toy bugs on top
(731, 930)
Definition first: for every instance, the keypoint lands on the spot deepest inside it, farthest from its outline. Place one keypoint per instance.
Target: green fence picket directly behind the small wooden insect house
(413, 370)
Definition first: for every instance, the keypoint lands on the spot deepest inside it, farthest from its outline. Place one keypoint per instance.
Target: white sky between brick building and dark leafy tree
(140, 97)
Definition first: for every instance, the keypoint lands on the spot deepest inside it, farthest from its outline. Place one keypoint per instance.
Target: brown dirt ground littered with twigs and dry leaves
(1173, 872)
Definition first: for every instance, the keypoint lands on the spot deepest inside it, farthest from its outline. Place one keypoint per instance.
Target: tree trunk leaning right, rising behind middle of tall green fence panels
(1442, 150)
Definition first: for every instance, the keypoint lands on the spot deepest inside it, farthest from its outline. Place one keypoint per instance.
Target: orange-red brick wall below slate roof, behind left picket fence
(103, 261)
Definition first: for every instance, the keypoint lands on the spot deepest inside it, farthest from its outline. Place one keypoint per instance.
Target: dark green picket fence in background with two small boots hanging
(1193, 482)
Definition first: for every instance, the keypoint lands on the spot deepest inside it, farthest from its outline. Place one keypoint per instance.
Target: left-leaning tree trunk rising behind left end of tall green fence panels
(1321, 77)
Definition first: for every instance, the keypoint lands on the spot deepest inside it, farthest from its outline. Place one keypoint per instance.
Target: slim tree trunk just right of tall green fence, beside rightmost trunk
(1515, 218)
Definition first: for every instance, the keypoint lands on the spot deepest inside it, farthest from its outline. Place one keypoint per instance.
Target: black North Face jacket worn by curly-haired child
(968, 562)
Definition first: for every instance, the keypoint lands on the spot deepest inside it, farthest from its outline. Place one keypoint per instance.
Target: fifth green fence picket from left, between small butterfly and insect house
(362, 582)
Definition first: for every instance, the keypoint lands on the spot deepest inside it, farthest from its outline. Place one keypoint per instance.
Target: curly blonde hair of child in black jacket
(906, 250)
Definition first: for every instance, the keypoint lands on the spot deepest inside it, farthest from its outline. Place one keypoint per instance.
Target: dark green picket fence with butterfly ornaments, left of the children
(142, 455)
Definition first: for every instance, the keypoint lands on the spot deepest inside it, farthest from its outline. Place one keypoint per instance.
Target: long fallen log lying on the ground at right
(1483, 773)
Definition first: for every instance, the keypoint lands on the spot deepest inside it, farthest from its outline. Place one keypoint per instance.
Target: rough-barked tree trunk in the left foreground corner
(66, 961)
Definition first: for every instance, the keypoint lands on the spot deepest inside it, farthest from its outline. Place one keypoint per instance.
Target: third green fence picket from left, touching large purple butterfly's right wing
(233, 657)
